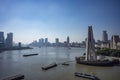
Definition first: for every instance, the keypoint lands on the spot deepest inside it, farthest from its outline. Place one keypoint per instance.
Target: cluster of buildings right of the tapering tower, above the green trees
(113, 43)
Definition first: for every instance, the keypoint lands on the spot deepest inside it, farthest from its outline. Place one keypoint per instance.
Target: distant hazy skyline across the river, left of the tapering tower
(44, 42)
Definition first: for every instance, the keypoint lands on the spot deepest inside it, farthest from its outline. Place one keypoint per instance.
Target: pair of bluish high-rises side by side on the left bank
(6, 42)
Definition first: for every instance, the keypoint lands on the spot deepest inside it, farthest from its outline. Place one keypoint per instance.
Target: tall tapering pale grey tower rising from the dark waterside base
(90, 46)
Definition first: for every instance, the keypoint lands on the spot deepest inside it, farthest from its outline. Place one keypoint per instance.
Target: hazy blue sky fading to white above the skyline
(33, 19)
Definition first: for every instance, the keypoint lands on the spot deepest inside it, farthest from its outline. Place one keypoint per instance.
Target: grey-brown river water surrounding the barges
(13, 62)
